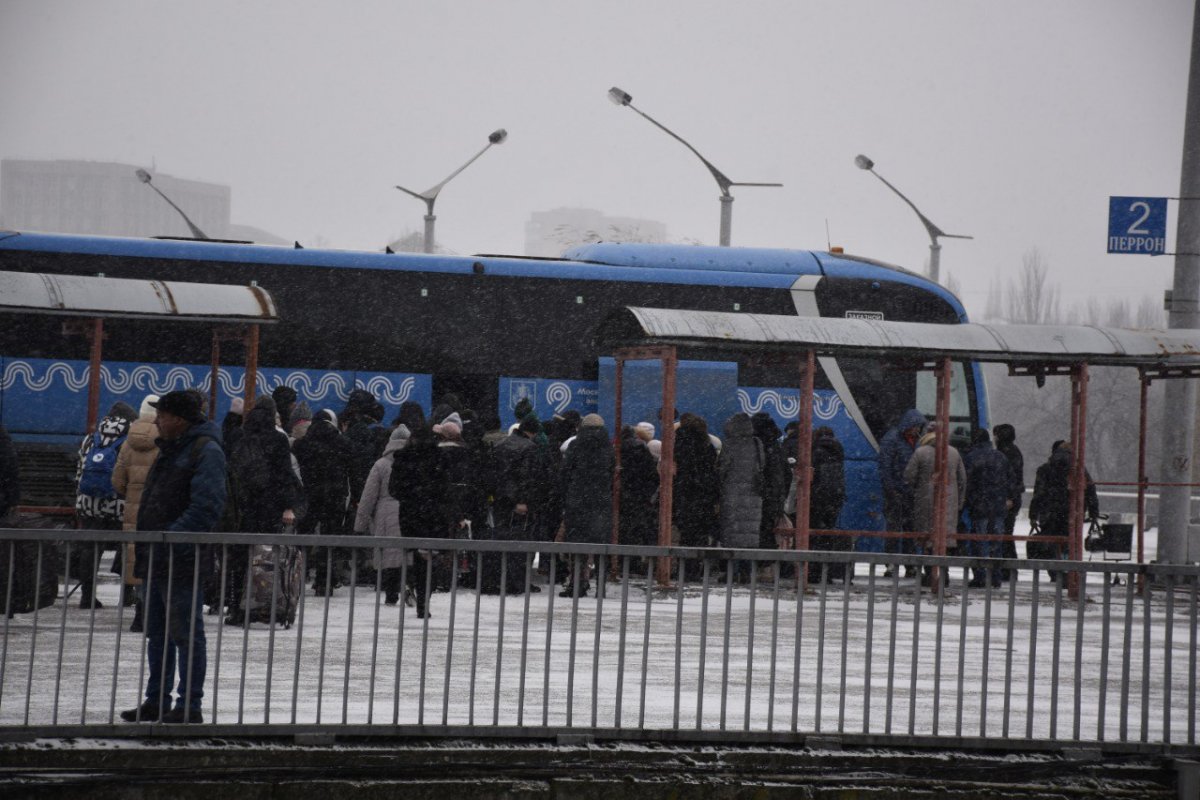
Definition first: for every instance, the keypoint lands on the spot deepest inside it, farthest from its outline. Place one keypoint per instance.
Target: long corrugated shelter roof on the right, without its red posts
(725, 332)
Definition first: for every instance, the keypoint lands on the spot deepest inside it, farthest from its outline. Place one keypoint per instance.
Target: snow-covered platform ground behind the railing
(820, 665)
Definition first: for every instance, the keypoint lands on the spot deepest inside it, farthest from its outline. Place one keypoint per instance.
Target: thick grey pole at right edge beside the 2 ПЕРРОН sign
(1180, 417)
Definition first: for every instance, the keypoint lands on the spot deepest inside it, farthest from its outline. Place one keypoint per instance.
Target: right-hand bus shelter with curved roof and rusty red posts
(639, 334)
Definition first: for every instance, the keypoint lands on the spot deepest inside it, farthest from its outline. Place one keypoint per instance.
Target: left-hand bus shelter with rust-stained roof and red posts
(235, 312)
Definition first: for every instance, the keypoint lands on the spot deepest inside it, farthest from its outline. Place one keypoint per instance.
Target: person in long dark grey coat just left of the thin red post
(587, 494)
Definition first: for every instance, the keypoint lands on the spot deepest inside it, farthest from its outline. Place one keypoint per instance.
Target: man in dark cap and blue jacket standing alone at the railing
(185, 491)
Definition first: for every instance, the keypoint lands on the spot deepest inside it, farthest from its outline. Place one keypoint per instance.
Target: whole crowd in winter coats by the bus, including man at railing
(279, 467)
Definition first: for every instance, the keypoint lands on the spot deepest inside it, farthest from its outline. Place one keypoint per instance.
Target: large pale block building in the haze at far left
(107, 200)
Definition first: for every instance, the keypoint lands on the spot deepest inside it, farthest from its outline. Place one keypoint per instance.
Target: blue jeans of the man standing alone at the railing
(172, 641)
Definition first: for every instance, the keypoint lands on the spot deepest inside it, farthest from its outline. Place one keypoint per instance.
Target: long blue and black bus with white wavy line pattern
(491, 329)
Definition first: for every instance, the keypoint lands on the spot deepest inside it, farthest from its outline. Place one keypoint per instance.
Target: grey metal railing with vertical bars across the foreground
(736, 647)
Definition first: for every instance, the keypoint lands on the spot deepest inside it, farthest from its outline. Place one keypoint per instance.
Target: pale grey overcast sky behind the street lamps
(1010, 122)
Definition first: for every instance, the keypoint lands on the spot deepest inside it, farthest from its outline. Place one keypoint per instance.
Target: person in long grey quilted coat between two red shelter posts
(740, 471)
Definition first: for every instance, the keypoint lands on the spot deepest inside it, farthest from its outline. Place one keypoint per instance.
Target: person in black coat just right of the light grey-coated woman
(418, 484)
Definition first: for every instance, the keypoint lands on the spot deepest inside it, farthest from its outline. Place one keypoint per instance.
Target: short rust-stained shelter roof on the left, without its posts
(77, 296)
